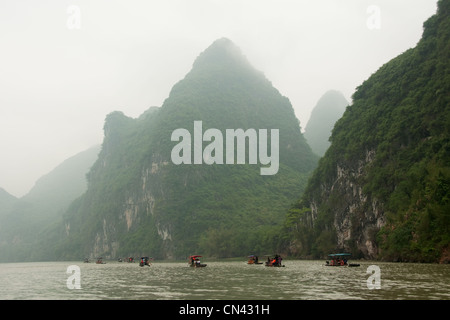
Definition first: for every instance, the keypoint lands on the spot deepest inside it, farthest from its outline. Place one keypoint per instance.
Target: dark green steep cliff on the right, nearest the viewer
(392, 146)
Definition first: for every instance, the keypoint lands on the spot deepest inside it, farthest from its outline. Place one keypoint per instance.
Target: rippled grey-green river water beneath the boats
(298, 280)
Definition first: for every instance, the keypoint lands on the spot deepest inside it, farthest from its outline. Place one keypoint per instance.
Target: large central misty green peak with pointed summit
(140, 202)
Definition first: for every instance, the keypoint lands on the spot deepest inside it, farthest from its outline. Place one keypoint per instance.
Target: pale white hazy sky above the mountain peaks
(65, 64)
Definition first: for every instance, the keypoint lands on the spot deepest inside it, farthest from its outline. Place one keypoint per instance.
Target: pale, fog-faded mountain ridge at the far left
(25, 220)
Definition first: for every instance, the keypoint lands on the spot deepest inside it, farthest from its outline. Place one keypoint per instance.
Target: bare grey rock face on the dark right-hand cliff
(356, 215)
